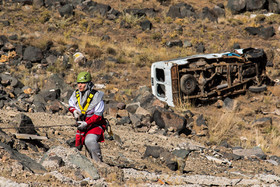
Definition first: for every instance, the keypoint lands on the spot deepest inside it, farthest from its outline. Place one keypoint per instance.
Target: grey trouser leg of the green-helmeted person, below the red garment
(93, 147)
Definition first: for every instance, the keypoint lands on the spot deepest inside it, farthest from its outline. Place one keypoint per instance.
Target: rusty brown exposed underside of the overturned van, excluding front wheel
(217, 78)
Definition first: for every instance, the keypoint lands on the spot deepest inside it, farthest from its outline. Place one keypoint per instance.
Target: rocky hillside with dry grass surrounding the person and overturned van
(45, 43)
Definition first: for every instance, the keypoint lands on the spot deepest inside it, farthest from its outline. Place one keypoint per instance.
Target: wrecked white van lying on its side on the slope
(208, 76)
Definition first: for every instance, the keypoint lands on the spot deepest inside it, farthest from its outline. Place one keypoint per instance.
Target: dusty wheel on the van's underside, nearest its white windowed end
(188, 84)
